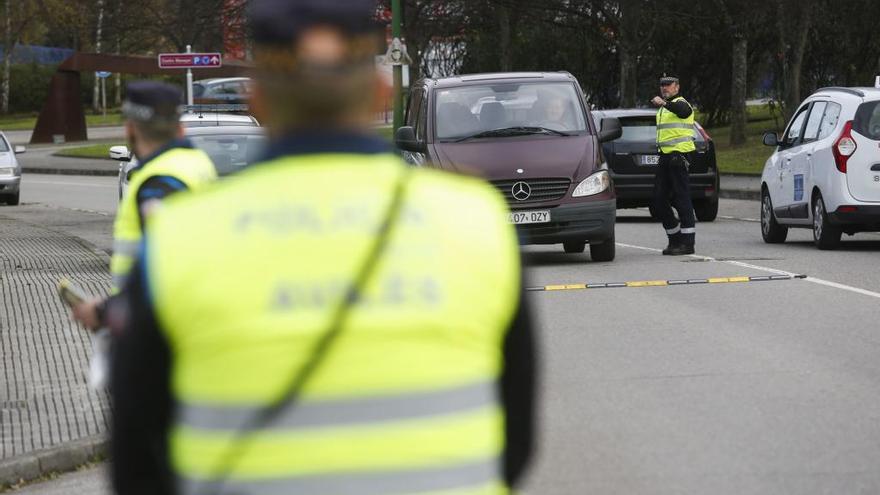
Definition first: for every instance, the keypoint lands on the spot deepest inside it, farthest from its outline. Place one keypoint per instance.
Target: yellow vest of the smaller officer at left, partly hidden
(191, 166)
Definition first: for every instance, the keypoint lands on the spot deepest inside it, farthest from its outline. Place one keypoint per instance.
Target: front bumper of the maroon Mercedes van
(591, 221)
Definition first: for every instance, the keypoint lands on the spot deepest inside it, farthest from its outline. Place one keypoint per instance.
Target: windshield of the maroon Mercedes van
(470, 110)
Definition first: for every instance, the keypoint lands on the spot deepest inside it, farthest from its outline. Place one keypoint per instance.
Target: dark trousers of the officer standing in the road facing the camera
(672, 189)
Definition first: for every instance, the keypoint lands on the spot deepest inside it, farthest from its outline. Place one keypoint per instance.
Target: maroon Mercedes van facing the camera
(530, 135)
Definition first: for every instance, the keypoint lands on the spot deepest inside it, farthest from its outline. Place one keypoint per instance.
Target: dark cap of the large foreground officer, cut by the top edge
(281, 21)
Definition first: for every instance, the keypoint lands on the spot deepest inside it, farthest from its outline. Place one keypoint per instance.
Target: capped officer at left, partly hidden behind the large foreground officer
(167, 163)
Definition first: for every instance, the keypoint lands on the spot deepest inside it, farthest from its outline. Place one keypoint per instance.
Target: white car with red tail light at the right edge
(825, 172)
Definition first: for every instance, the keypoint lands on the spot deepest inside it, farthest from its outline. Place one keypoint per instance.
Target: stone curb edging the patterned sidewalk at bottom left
(39, 463)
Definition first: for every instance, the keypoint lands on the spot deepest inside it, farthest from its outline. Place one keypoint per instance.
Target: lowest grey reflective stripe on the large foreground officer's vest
(480, 473)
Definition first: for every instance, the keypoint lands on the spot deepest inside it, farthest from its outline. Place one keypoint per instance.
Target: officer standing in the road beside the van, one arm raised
(675, 139)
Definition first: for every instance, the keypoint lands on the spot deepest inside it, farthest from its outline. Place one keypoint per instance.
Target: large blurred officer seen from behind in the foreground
(329, 321)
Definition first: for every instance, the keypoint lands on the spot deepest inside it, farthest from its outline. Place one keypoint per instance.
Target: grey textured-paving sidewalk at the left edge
(50, 420)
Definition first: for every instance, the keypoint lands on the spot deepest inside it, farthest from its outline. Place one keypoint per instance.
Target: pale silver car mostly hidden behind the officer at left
(230, 147)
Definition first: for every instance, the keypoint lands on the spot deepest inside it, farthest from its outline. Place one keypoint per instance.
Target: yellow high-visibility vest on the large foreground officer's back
(407, 397)
